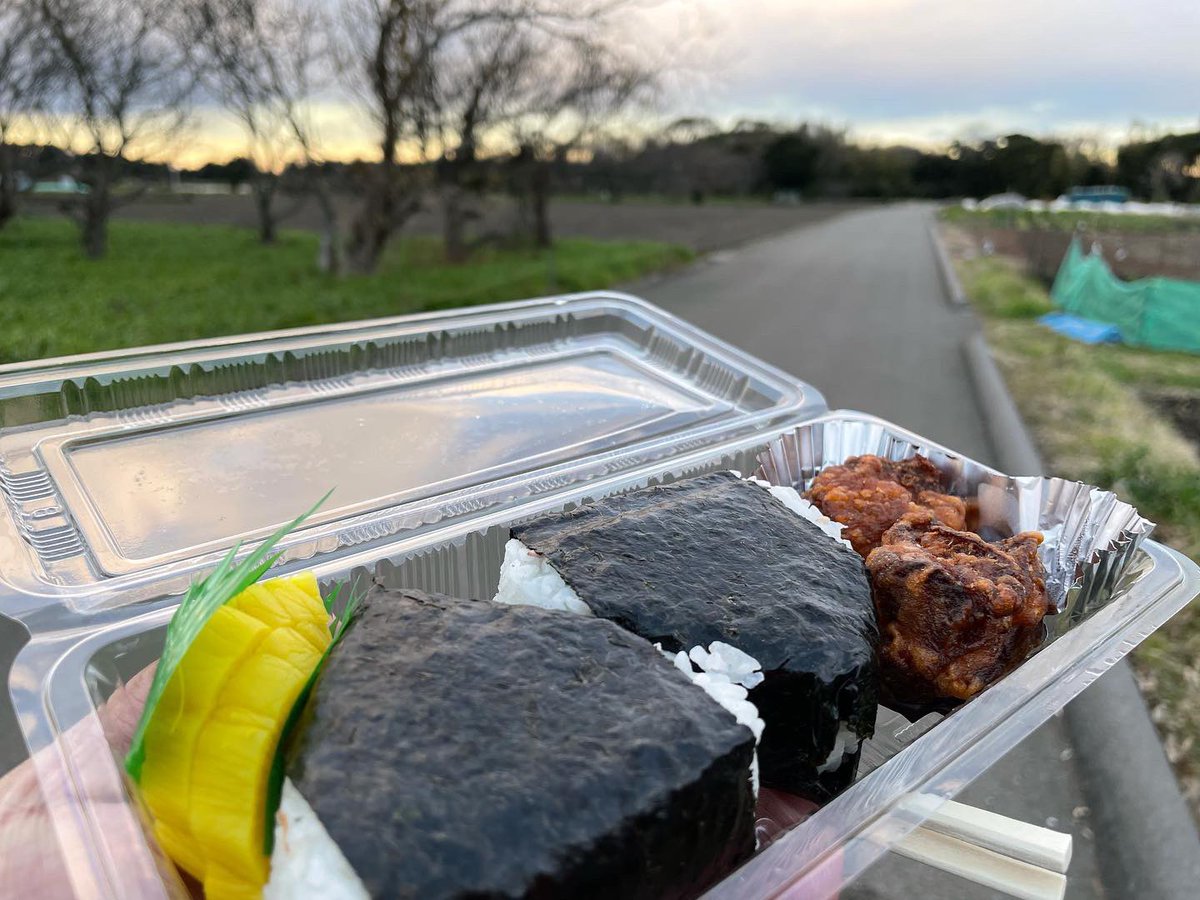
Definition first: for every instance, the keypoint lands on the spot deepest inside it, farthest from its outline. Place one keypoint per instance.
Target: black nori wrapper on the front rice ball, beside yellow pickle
(460, 748)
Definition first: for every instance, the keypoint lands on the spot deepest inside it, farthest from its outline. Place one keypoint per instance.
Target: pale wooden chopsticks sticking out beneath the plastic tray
(1001, 854)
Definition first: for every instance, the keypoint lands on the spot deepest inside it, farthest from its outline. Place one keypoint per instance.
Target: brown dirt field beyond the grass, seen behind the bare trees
(701, 229)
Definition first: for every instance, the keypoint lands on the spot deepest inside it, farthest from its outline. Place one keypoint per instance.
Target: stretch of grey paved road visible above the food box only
(853, 305)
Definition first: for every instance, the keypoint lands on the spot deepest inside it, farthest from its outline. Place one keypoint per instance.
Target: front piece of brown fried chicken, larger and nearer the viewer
(956, 613)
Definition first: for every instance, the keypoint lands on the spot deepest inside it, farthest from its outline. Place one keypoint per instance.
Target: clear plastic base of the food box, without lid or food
(67, 673)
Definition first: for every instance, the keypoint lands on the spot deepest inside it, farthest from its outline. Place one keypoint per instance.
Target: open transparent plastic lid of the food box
(127, 469)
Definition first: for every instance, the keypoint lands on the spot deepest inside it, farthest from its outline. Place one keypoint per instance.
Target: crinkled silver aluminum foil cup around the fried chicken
(1093, 538)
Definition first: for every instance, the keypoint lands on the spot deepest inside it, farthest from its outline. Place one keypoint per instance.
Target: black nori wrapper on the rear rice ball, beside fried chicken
(718, 559)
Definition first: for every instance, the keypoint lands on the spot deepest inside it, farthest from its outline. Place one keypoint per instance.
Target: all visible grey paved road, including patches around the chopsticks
(854, 305)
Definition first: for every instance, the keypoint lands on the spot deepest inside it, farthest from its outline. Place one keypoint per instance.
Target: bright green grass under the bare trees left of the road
(167, 283)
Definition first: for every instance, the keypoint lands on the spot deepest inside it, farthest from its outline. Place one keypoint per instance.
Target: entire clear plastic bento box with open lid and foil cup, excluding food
(129, 475)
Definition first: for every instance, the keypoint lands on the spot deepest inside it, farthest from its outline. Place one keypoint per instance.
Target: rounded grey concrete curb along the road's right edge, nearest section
(1147, 838)
